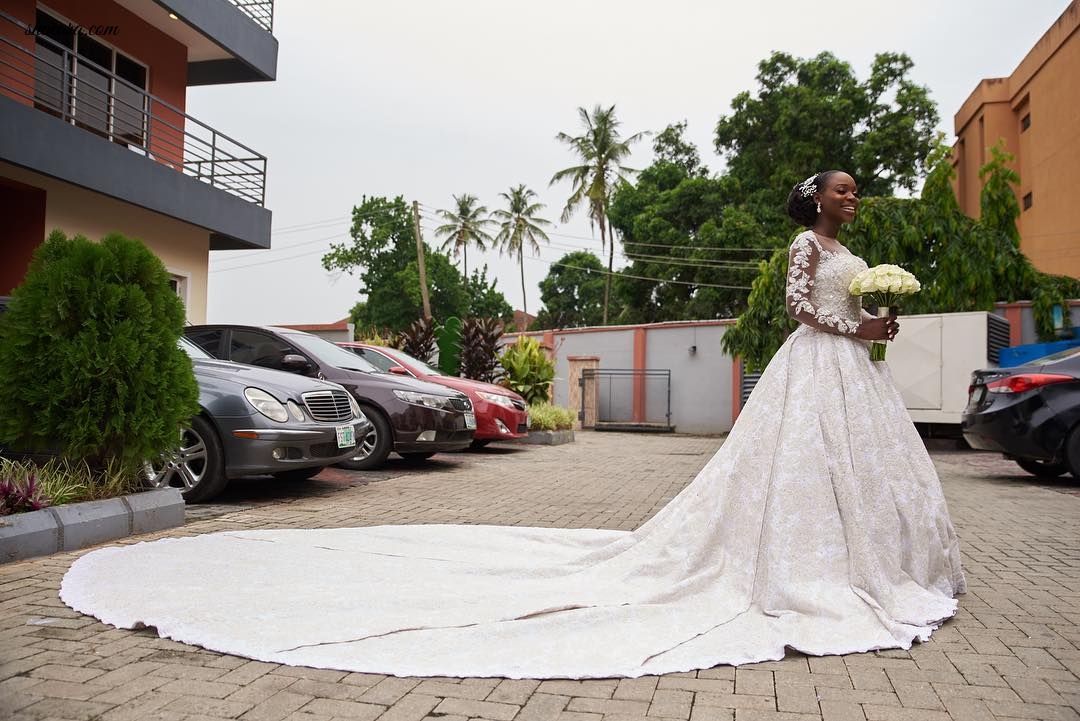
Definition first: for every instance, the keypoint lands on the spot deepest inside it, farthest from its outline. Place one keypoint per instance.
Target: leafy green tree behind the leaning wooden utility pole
(384, 252)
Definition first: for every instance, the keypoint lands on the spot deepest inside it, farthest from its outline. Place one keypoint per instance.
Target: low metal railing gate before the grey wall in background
(615, 403)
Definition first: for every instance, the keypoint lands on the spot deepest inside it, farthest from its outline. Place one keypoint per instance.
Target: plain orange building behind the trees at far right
(1037, 112)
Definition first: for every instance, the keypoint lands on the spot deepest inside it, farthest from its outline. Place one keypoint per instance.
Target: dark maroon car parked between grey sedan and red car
(413, 418)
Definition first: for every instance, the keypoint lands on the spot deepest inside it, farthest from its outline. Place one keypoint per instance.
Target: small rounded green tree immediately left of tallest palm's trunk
(573, 293)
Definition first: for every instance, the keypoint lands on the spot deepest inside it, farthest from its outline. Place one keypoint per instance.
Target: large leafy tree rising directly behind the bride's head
(815, 115)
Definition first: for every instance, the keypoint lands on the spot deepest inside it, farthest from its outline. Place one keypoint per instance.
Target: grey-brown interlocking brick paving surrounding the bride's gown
(1012, 652)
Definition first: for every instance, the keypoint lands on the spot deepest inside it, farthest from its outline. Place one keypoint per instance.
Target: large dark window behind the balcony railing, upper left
(82, 79)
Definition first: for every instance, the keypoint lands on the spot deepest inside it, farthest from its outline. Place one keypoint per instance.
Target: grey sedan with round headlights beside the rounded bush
(255, 423)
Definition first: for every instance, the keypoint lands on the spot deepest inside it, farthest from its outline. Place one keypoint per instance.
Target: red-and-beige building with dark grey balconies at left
(96, 138)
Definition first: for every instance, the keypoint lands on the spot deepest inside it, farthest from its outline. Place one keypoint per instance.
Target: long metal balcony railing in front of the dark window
(85, 94)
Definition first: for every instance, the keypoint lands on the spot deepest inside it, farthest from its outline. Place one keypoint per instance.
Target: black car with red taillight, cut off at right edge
(1031, 414)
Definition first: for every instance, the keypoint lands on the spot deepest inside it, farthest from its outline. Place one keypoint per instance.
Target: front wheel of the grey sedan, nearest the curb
(196, 467)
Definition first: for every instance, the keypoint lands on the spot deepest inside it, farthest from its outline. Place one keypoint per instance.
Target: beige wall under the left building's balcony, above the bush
(184, 249)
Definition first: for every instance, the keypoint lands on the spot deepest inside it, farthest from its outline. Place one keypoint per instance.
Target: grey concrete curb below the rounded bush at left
(80, 525)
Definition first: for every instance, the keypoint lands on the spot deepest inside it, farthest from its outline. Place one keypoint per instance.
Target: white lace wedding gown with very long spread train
(820, 525)
